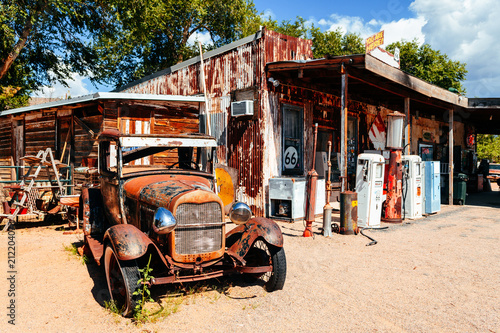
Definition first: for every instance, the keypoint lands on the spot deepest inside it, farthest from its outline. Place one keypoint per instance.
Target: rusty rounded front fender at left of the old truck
(128, 242)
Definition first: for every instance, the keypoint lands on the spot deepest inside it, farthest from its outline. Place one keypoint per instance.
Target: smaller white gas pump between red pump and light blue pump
(412, 186)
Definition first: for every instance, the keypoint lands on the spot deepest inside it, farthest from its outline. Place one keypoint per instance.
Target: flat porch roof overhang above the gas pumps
(368, 78)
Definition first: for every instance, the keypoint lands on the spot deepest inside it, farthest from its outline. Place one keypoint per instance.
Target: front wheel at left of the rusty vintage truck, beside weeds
(122, 278)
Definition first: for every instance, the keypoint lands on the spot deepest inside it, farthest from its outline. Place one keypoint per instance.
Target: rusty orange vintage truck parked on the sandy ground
(157, 201)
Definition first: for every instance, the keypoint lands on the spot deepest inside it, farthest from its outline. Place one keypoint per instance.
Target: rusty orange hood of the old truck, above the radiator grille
(169, 190)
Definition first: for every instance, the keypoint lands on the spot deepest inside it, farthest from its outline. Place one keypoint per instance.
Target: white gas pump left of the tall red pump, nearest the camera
(369, 186)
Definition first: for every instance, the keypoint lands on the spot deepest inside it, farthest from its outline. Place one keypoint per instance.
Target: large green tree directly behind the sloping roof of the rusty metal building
(148, 36)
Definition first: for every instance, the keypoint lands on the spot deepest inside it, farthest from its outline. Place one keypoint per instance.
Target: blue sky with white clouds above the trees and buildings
(466, 30)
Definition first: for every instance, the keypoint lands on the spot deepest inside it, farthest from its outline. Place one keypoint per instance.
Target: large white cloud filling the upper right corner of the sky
(466, 31)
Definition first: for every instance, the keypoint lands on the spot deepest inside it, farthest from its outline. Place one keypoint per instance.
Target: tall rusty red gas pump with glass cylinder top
(392, 209)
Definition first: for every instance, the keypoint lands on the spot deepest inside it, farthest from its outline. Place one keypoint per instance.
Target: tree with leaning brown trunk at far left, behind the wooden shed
(42, 42)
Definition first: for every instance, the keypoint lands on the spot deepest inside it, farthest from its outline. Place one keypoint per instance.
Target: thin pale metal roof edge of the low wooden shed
(105, 96)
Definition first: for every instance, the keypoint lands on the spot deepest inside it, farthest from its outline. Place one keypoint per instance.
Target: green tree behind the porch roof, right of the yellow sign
(430, 65)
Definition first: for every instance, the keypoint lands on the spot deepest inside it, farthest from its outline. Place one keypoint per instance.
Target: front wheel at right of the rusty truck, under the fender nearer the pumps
(263, 254)
